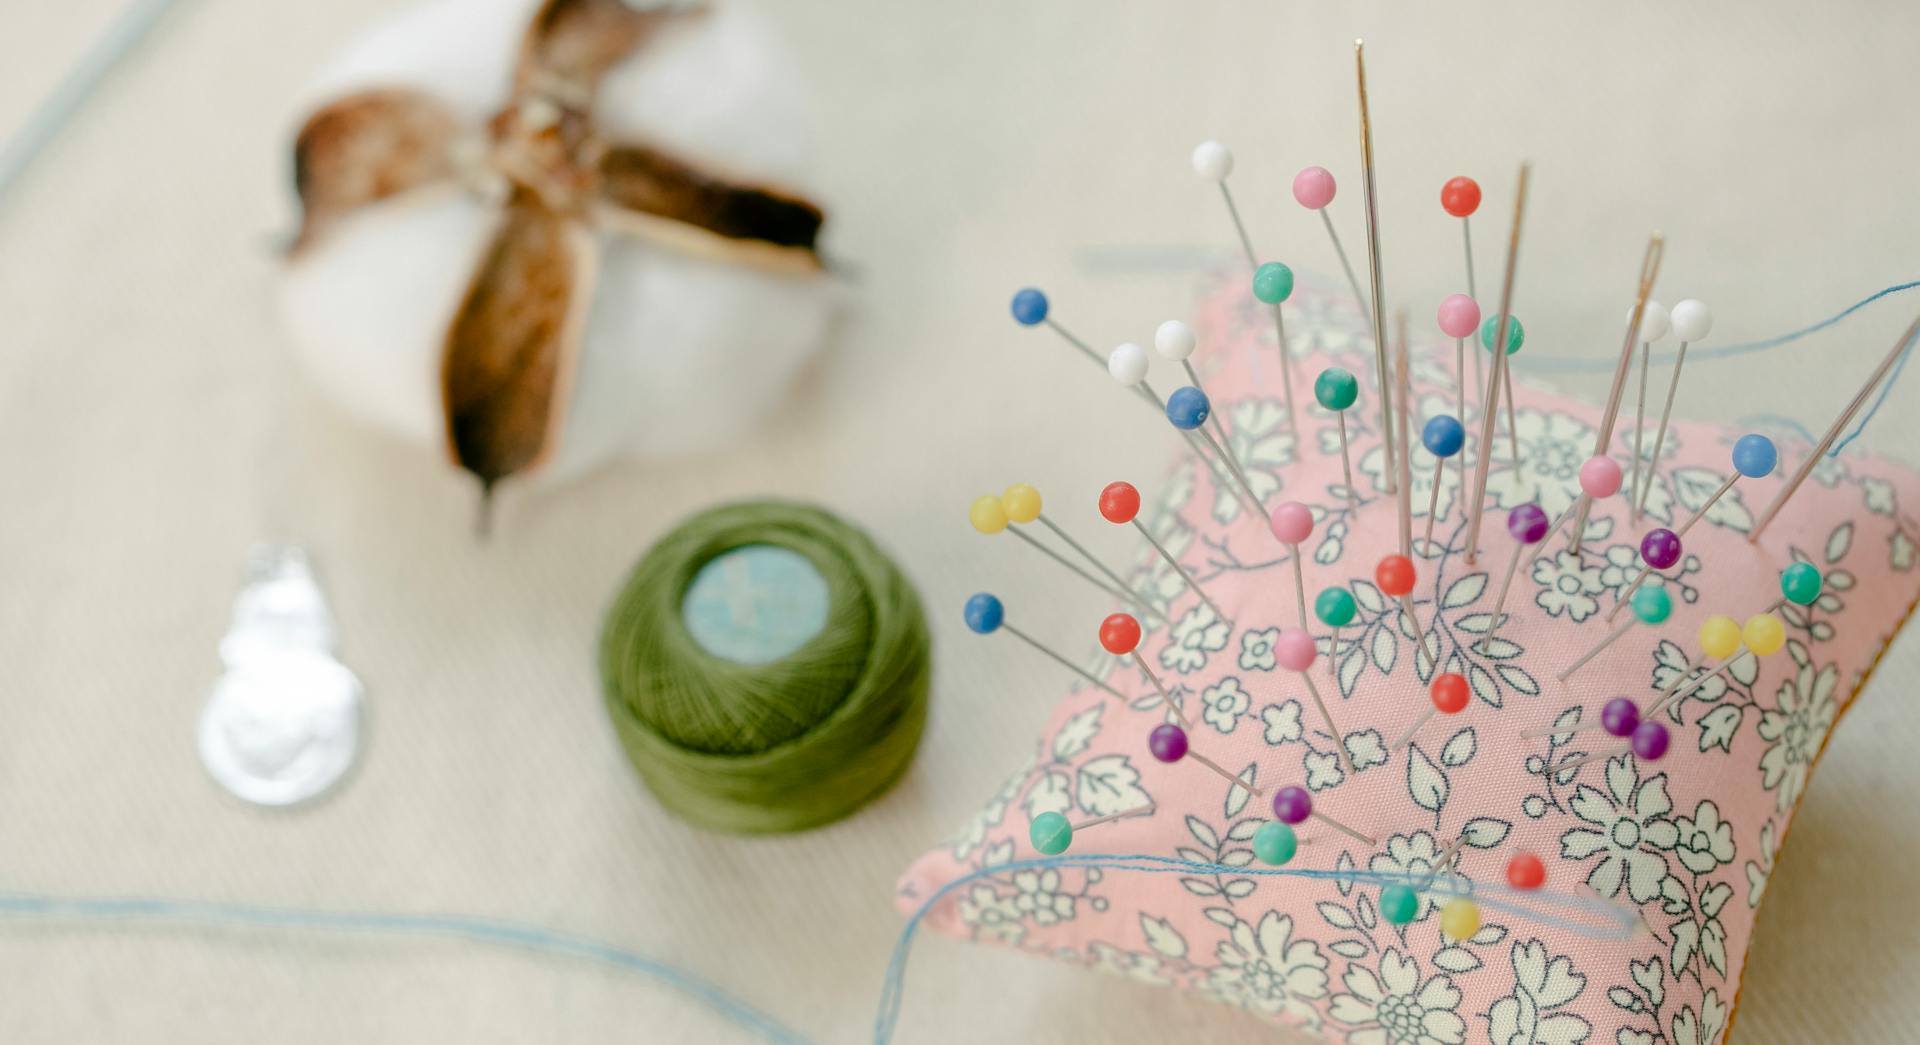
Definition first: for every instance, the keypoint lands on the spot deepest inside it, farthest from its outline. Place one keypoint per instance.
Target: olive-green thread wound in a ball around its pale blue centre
(782, 746)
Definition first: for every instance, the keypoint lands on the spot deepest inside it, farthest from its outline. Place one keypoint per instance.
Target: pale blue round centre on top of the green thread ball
(756, 604)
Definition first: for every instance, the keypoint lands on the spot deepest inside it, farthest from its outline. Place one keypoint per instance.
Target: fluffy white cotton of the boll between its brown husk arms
(681, 354)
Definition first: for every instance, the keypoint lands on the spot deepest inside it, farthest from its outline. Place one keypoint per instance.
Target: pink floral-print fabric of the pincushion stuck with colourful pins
(1689, 838)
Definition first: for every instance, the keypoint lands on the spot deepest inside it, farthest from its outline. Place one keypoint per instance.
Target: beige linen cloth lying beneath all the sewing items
(151, 431)
